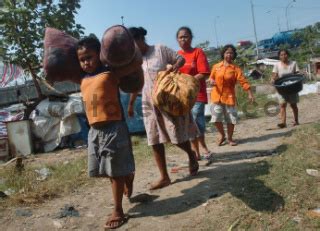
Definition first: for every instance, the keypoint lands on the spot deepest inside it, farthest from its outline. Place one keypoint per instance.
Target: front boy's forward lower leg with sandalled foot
(117, 217)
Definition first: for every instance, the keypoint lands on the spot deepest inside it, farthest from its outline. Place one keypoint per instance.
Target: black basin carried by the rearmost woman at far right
(289, 84)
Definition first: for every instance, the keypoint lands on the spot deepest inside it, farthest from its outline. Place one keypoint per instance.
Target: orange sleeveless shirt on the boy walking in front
(101, 98)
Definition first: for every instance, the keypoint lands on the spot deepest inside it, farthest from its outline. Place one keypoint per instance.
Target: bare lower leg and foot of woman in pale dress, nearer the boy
(159, 155)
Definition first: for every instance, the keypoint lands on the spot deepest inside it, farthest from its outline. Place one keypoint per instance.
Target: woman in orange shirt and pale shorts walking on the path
(224, 76)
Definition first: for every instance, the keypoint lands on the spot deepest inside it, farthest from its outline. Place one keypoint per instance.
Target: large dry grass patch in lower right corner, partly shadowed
(276, 193)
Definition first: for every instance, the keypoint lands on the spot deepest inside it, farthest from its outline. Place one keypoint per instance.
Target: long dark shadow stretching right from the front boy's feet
(240, 179)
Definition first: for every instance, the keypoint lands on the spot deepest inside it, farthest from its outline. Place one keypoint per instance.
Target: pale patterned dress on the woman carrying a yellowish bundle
(162, 127)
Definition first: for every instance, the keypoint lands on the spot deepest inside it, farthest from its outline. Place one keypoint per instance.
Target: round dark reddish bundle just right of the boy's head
(117, 47)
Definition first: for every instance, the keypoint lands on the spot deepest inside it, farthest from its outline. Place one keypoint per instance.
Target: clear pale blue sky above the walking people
(217, 21)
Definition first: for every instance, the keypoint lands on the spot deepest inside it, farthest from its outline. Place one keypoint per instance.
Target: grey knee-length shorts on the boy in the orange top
(110, 150)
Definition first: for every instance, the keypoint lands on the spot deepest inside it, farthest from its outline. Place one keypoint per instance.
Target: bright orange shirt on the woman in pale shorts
(226, 78)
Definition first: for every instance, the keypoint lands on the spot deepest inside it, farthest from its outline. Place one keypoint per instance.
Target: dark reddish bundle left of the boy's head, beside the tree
(60, 60)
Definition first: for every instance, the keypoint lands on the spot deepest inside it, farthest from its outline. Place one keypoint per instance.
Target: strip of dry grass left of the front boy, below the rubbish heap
(30, 189)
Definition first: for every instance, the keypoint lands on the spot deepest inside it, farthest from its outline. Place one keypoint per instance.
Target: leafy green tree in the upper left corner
(22, 27)
